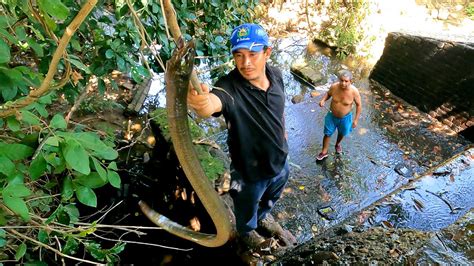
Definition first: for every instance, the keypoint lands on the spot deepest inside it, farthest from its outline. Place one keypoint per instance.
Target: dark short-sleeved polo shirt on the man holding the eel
(255, 123)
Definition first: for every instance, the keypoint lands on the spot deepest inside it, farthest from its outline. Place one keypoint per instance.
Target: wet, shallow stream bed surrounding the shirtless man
(393, 145)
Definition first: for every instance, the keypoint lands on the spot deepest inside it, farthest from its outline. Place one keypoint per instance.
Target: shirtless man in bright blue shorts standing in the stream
(343, 94)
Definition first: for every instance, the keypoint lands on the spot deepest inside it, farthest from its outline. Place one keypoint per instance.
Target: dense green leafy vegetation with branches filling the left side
(55, 53)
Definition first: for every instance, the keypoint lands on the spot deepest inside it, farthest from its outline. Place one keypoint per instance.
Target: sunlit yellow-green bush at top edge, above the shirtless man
(343, 30)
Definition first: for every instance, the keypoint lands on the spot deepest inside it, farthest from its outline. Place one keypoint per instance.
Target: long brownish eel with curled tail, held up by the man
(177, 76)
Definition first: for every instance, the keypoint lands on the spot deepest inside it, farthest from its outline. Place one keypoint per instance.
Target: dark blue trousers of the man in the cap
(253, 200)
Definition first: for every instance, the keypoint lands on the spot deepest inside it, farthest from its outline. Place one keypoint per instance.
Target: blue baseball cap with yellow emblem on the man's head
(249, 36)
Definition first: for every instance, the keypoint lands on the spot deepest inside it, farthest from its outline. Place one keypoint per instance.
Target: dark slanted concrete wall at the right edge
(437, 76)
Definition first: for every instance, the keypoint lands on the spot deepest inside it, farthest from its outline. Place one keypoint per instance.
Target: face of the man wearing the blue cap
(251, 65)
